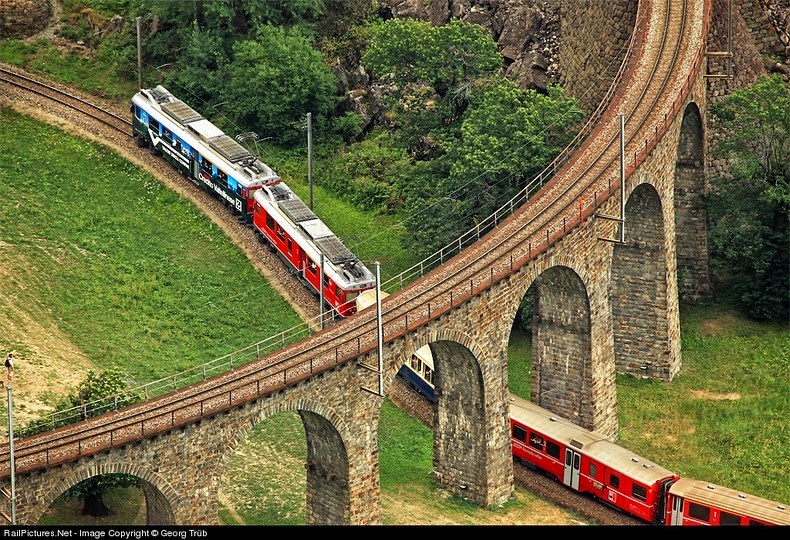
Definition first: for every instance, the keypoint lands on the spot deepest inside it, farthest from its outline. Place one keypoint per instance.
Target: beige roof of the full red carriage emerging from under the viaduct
(586, 442)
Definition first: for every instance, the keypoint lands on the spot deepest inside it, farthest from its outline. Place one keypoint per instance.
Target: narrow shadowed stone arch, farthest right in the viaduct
(691, 218)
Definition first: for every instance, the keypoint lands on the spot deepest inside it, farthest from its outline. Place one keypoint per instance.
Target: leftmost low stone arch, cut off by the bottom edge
(159, 493)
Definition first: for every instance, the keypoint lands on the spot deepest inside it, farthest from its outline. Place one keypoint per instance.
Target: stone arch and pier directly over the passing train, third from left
(468, 419)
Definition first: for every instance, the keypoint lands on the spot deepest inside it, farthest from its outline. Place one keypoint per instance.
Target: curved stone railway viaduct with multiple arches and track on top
(606, 301)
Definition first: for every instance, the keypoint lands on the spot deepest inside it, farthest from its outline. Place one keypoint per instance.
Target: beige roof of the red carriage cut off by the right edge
(731, 500)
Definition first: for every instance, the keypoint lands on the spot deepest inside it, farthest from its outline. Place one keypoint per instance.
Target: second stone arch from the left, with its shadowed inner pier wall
(328, 495)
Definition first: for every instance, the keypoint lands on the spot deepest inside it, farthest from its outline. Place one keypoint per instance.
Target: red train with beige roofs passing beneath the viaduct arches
(589, 463)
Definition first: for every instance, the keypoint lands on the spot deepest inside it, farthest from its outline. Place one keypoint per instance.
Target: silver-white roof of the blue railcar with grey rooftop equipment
(194, 129)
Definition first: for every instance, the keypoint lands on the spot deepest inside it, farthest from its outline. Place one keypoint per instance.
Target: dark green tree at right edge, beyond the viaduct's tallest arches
(750, 206)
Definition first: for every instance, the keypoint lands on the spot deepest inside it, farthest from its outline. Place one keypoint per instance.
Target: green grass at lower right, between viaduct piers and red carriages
(724, 416)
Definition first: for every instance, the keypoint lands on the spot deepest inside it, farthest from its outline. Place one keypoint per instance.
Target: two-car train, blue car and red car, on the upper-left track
(251, 190)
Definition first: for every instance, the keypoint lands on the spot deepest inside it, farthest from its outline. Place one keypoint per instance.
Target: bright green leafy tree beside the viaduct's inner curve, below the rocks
(505, 137)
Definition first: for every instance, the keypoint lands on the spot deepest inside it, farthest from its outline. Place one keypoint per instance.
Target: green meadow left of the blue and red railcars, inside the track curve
(97, 238)
